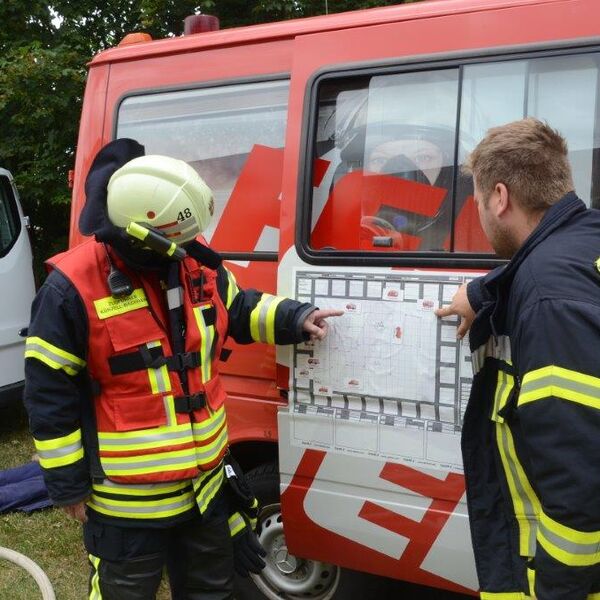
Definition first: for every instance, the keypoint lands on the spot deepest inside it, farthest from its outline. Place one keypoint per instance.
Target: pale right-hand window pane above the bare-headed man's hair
(560, 90)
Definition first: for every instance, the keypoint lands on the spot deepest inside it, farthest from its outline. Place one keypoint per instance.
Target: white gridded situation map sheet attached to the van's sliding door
(391, 379)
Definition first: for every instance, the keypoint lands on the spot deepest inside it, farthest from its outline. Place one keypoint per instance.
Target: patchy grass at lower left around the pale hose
(48, 537)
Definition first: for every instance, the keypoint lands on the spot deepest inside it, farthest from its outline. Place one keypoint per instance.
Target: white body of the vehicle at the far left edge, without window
(17, 292)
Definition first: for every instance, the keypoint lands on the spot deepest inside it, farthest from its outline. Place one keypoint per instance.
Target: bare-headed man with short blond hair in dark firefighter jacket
(531, 436)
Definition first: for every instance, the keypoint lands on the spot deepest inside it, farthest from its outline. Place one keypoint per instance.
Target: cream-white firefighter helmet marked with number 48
(163, 192)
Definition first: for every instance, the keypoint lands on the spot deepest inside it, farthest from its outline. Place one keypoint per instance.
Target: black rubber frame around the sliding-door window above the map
(459, 60)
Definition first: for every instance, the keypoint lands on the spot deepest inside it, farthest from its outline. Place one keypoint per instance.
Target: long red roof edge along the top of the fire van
(289, 29)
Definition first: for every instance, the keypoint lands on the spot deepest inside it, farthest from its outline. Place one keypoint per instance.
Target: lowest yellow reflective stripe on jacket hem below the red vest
(146, 509)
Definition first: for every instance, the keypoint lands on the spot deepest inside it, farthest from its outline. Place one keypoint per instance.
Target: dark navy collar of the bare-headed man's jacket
(498, 283)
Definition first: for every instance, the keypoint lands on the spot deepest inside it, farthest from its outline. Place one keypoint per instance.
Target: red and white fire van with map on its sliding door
(333, 146)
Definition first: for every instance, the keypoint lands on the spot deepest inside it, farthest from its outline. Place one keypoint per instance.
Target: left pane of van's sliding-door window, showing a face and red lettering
(385, 149)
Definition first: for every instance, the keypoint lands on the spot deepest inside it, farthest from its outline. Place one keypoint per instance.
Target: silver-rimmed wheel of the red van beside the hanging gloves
(288, 577)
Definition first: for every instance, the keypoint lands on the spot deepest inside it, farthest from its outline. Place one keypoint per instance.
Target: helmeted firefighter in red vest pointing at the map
(122, 385)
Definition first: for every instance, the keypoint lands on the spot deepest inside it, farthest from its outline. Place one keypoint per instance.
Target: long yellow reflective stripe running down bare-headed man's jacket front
(525, 503)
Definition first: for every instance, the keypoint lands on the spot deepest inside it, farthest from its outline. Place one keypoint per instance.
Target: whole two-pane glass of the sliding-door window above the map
(387, 157)
